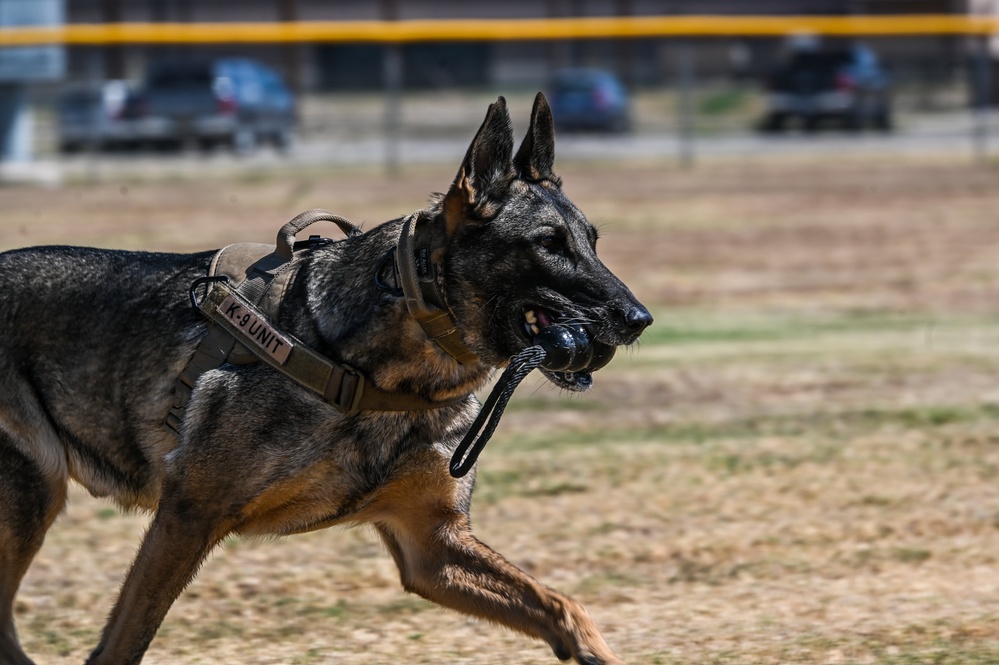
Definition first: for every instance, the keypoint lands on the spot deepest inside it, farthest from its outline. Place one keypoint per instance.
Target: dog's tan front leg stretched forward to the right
(440, 559)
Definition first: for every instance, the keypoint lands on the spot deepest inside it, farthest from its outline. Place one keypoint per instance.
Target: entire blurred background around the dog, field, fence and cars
(799, 463)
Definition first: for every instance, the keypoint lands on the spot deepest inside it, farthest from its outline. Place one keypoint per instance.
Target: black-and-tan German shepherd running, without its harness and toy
(93, 341)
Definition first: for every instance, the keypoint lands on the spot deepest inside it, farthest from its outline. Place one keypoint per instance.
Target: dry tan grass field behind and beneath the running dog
(798, 464)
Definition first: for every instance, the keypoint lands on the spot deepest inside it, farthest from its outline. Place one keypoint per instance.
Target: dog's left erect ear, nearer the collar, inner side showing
(486, 173)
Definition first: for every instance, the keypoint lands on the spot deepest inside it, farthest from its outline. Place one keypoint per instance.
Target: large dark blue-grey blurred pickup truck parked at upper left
(232, 101)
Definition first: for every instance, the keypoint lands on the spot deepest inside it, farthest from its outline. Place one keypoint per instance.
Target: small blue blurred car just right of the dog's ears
(589, 99)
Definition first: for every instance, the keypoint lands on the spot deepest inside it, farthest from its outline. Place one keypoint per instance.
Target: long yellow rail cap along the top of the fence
(498, 29)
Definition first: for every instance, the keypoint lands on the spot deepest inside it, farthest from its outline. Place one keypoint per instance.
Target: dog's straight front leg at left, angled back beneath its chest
(176, 544)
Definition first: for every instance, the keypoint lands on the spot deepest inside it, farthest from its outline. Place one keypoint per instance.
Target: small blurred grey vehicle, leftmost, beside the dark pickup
(94, 116)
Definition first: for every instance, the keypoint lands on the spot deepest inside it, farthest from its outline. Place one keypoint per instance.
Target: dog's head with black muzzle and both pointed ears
(518, 256)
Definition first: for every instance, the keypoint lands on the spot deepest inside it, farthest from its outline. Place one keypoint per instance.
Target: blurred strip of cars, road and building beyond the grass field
(361, 98)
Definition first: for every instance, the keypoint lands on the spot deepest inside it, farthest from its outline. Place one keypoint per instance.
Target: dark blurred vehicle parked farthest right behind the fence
(848, 86)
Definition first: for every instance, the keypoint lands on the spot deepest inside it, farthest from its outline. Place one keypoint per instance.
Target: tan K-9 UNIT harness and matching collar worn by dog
(245, 285)
